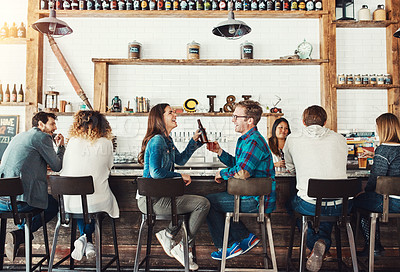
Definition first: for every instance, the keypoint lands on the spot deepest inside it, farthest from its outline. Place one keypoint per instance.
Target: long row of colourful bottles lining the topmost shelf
(306, 5)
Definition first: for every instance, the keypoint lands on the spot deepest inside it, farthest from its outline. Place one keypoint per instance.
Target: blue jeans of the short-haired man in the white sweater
(325, 228)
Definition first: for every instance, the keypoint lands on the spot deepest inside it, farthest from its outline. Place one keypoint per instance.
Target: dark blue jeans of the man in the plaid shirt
(220, 204)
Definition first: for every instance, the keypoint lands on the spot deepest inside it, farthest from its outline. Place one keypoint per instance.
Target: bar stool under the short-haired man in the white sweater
(325, 190)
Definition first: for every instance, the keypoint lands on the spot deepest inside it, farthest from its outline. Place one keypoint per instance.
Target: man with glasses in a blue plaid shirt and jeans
(252, 159)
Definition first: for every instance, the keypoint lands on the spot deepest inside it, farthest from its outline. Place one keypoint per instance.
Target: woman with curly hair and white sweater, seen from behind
(90, 153)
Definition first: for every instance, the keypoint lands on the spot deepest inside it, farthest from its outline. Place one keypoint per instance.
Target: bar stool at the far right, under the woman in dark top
(385, 186)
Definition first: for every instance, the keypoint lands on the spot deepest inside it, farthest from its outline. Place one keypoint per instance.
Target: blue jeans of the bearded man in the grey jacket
(49, 213)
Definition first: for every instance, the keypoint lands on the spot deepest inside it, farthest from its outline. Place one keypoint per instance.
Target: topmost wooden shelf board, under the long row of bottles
(184, 13)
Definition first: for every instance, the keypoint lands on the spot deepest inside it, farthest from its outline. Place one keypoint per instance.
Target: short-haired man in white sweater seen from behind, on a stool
(316, 152)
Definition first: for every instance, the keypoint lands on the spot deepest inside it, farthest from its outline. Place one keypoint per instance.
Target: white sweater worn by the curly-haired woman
(83, 158)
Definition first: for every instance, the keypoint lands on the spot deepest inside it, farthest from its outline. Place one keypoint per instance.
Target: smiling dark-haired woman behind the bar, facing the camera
(280, 130)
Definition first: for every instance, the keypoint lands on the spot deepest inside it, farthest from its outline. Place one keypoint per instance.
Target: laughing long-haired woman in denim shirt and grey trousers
(159, 155)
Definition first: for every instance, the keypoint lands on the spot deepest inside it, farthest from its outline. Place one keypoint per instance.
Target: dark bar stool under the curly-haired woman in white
(82, 186)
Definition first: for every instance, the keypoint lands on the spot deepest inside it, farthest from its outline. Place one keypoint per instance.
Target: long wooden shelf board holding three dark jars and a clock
(211, 62)
